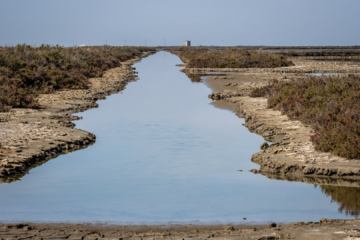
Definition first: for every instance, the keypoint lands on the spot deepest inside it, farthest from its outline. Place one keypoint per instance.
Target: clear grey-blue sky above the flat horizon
(204, 22)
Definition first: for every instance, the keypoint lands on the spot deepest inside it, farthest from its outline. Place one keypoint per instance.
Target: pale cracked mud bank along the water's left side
(28, 137)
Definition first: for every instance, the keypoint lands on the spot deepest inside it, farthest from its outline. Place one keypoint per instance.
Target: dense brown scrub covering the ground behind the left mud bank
(26, 71)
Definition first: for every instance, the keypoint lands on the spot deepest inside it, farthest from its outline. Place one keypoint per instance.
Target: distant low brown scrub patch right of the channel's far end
(200, 57)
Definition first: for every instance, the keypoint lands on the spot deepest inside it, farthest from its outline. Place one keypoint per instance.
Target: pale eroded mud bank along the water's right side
(291, 151)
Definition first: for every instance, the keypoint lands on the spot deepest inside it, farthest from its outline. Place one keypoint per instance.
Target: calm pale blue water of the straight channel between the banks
(162, 153)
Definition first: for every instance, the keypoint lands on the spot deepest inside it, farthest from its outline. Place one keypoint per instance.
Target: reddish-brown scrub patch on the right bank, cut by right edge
(330, 104)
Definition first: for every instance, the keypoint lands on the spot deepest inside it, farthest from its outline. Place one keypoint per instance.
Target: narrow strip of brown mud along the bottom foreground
(324, 229)
